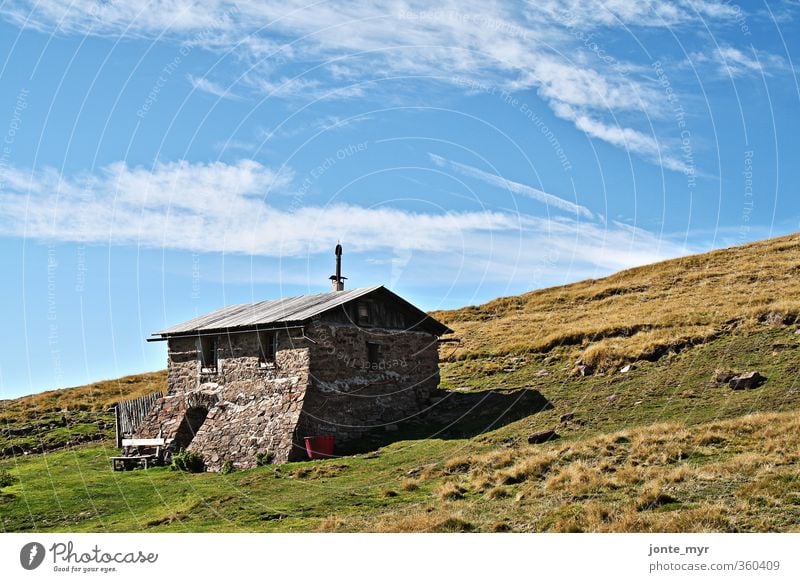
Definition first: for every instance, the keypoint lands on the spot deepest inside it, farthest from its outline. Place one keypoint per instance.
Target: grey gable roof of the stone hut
(290, 310)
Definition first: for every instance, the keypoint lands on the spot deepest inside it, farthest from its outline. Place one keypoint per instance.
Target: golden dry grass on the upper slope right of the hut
(640, 313)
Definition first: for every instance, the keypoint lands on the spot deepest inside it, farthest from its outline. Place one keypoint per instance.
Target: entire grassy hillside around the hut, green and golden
(661, 446)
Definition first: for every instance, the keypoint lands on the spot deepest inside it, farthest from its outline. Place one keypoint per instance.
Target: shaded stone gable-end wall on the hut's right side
(349, 397)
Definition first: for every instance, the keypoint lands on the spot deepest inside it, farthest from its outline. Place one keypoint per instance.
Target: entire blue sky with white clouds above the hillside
(162, 160)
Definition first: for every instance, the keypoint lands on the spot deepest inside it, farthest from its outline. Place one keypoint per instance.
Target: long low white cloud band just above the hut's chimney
(227, 208)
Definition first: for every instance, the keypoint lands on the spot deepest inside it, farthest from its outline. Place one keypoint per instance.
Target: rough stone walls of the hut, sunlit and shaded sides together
(321, 383)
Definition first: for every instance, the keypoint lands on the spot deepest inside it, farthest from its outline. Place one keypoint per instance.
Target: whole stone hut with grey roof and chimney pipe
(258, 378)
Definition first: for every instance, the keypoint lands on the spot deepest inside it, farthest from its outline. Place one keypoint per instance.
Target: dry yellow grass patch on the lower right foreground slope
(741, 474)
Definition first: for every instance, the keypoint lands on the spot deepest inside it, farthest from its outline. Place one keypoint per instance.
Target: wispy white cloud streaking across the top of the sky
(506, 44)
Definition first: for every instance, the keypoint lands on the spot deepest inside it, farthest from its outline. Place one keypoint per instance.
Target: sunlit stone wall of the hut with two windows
(251, 408)
